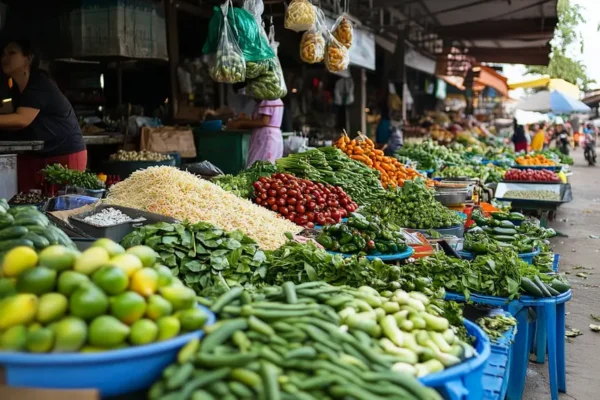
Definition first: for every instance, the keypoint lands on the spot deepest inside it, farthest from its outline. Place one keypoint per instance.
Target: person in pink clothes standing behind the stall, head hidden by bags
(266, 143)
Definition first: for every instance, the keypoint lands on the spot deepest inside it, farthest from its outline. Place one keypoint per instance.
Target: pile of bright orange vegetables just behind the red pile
(392, 172)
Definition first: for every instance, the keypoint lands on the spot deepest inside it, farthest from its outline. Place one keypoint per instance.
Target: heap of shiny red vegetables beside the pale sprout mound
(303, 202)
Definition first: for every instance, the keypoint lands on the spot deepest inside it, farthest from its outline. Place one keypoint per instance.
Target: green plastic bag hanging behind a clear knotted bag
(248, 34)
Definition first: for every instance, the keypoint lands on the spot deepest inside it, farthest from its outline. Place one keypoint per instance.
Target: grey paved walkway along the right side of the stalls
(582, 217)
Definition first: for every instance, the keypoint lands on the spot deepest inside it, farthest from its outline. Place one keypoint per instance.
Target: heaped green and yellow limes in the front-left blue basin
(60, 300)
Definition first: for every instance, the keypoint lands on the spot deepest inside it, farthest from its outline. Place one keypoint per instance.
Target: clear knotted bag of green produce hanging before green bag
(227, 65)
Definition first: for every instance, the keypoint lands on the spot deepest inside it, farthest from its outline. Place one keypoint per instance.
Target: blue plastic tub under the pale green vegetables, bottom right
(465, 380)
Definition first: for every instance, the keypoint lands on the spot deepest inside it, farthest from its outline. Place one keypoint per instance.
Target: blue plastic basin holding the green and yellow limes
(112, 373)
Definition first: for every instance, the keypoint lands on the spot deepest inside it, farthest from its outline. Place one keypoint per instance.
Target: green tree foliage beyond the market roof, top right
(566, 36)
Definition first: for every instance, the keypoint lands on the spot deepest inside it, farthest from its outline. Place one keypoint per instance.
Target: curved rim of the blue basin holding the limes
(49, 359)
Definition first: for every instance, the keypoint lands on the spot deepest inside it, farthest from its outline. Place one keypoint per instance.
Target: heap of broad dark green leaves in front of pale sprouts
(209, 260)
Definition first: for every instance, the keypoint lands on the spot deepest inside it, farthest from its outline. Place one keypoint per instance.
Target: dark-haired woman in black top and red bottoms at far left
(41, 112)
